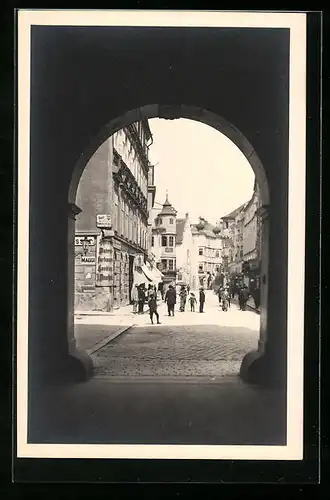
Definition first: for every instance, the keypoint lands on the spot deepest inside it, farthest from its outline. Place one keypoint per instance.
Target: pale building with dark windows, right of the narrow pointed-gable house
(208, 246)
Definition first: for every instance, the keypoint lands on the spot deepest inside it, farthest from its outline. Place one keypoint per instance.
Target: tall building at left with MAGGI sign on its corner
(112, 228)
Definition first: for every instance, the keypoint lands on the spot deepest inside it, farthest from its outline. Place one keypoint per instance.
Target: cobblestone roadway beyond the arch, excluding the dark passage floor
(211, 344)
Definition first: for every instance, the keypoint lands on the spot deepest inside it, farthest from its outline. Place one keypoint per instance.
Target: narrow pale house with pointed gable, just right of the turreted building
(186, 258)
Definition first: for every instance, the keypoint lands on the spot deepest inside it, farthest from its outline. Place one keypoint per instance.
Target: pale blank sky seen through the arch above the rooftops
(204, 172)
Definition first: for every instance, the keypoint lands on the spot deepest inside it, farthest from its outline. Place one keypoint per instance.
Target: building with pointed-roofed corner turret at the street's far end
(163, 241)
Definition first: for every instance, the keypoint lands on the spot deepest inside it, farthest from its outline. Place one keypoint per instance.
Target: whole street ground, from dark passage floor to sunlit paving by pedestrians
(171, 383)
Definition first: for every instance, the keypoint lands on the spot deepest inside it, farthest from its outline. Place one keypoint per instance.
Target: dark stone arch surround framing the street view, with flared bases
(250, 365)
